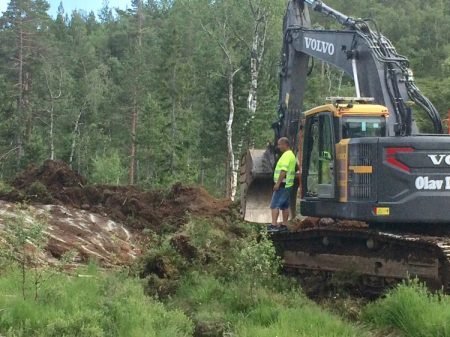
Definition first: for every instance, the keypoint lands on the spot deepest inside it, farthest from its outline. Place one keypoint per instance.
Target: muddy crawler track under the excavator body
(379, 258)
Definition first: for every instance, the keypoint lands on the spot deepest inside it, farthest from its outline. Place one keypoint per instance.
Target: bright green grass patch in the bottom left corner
(94, 305)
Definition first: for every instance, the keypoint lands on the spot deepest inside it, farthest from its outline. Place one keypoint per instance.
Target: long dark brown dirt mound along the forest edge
(55, 183)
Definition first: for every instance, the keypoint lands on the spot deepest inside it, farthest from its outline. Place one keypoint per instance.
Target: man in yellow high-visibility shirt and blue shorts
(283, 178)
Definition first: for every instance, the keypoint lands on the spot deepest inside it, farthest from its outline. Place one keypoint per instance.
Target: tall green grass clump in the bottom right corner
(411, 309)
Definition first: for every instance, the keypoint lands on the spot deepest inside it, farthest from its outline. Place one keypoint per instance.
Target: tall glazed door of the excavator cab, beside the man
(318, 157)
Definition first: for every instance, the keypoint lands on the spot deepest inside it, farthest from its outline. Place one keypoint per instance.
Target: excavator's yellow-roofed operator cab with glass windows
(325, 127)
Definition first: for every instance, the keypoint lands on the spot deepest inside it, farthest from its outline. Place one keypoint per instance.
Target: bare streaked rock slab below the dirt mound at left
(84, 234)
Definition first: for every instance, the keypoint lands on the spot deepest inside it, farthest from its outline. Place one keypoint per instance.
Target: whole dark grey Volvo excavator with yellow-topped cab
(360, 158)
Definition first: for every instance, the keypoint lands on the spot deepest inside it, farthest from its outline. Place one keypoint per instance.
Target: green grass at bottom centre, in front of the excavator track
(227, 308)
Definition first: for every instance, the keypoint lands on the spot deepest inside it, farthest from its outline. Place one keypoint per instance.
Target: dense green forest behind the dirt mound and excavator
(143, 96)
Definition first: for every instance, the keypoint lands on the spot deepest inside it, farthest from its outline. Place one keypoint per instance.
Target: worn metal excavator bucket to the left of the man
(256, 185)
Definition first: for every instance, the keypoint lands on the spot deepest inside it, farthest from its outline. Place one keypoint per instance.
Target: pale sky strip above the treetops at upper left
(70, 5)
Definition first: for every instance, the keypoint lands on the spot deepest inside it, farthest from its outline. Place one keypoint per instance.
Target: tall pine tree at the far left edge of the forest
(24, 27)
